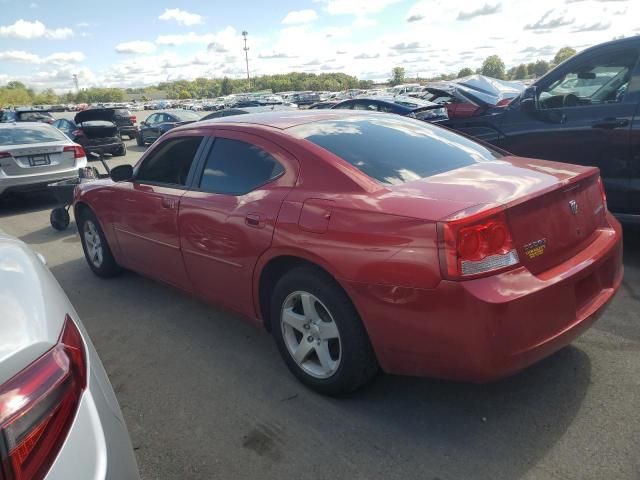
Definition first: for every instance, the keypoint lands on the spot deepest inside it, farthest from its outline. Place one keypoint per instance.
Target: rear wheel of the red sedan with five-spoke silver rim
(319, 333)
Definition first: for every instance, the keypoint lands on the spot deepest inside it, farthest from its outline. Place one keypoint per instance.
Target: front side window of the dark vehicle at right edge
(598, 81)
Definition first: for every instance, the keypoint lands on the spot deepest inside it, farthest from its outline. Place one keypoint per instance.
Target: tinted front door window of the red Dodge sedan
(171, 162)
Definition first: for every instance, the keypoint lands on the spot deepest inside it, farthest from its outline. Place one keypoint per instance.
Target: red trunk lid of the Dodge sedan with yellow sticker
(553, 209)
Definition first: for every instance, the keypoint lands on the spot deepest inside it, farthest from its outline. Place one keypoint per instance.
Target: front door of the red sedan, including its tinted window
(146, 218)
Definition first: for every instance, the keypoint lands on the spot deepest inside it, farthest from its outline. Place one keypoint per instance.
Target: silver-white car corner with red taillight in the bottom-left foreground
(59, 417)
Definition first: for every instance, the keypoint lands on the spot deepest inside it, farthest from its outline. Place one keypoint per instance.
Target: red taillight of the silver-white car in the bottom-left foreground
(38, 407)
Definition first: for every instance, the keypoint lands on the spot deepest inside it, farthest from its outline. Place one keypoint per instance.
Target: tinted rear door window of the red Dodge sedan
(236, 168)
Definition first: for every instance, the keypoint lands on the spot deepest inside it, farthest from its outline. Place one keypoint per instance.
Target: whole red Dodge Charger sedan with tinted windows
(364, 241)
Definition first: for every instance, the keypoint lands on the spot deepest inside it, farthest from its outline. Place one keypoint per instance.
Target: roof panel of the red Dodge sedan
(284, 119)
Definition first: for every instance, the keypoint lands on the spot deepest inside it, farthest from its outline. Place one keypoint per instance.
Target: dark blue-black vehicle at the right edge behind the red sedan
(585, 111)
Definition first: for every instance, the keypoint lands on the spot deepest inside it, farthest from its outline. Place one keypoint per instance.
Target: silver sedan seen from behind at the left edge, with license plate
(34, 154)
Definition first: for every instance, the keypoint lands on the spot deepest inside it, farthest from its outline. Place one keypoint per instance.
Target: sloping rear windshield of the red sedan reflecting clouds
(394, 149)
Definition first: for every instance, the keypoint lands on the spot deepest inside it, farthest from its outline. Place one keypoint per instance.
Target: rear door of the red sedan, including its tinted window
(227, 220)
